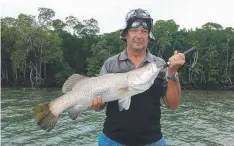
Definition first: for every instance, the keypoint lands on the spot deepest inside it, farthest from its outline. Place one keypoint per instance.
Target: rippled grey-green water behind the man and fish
(204, 118)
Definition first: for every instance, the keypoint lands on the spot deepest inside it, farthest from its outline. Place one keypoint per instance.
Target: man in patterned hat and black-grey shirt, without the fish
(140, 125)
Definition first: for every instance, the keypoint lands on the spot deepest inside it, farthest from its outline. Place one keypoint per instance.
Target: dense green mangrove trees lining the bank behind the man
(43, 51)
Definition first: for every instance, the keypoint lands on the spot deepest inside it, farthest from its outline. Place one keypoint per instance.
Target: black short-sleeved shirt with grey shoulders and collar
(140, 125)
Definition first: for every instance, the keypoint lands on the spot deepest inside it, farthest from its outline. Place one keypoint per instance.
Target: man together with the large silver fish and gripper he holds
(131, 85)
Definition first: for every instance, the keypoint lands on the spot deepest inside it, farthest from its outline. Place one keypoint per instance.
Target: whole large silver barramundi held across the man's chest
(79, 92)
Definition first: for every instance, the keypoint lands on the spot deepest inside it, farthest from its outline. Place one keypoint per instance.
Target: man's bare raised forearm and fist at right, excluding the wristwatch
(173, 93)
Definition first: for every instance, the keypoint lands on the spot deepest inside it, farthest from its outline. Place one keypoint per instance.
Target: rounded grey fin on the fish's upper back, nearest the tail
(71, 81)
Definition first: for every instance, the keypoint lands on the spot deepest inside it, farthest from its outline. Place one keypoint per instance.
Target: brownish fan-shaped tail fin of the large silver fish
(45, 118)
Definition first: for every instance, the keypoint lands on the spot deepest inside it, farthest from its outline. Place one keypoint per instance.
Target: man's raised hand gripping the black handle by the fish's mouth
(176, 61)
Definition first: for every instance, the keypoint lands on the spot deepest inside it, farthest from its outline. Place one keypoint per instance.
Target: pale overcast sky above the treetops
(110, 14)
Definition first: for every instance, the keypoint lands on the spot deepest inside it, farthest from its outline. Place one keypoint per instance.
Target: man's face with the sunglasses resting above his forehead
(137, 36)
